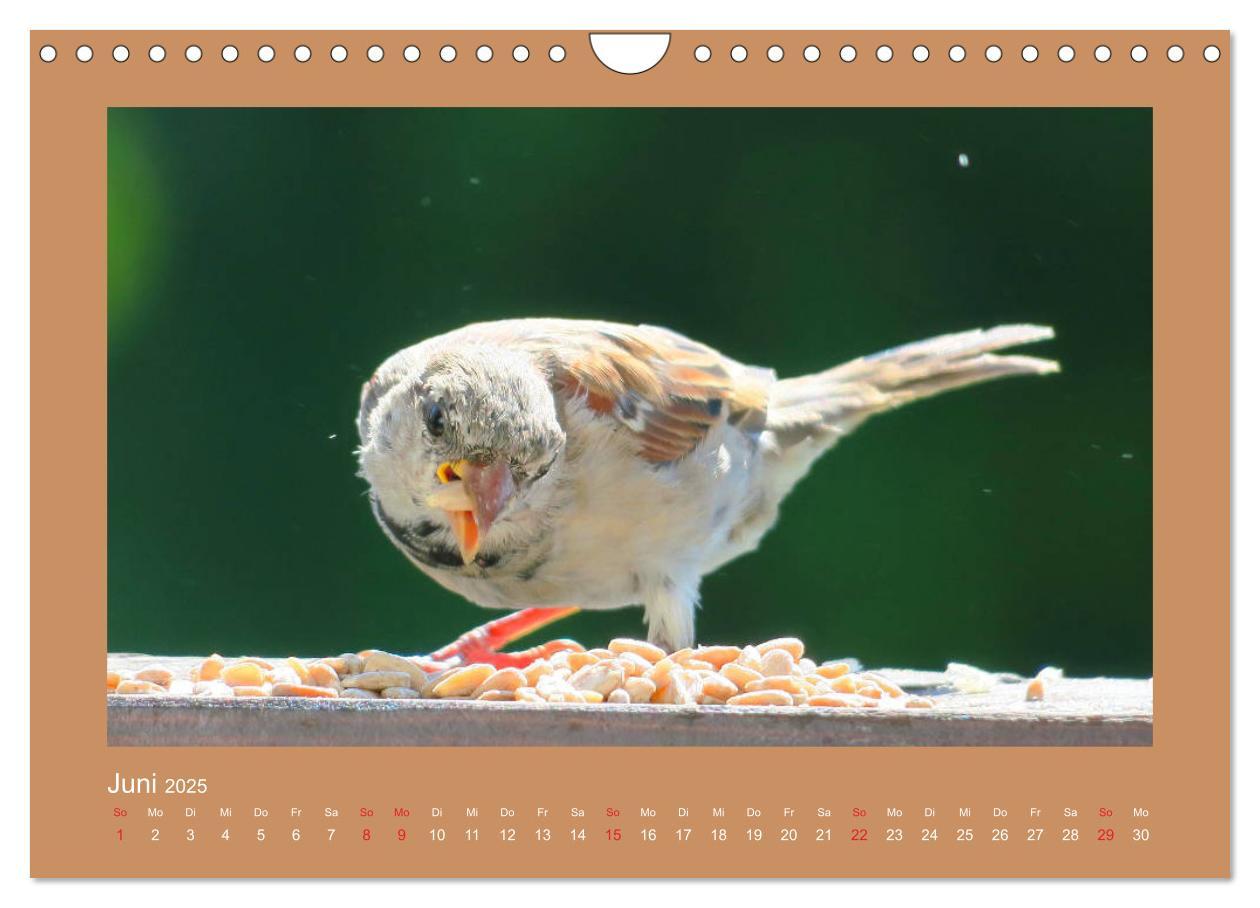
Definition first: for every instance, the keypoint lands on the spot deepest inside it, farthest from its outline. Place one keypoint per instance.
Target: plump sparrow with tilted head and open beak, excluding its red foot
(555, 463)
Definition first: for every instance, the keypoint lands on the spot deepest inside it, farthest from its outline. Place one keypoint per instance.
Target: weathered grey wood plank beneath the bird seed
(1078, 712)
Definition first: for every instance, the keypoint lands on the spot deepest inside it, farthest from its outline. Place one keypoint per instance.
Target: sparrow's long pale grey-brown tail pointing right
(832, 404)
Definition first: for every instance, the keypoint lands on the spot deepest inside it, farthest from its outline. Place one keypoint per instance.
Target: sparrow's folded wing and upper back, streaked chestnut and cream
(665, 389)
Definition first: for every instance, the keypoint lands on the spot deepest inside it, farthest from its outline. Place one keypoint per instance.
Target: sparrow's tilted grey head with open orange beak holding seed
(454, 444)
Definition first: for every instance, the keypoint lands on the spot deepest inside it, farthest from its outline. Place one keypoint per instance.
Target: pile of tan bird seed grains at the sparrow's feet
(772, 674)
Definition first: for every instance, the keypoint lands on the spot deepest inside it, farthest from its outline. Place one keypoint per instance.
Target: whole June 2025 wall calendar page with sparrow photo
(549, 454)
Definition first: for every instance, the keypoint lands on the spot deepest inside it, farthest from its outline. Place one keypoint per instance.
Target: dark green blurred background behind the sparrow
(263, 263)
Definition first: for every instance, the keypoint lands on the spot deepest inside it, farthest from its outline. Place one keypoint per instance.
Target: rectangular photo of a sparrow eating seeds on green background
(690, 426)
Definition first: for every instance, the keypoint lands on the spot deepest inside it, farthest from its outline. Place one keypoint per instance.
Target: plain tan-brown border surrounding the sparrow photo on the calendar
(1184, 780)
